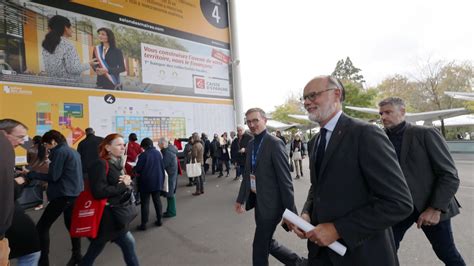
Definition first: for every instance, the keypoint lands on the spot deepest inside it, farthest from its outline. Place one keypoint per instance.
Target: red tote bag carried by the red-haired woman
(87, 213)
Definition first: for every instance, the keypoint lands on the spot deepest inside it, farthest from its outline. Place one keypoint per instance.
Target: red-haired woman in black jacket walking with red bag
(108, 180)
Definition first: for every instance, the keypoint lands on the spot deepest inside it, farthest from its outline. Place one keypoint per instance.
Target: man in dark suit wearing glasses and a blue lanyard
(267, 187)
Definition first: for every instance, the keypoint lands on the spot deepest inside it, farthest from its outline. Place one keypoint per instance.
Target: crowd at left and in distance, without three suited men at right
(112, 169)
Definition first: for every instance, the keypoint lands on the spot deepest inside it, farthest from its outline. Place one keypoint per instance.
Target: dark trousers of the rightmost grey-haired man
(440, 237)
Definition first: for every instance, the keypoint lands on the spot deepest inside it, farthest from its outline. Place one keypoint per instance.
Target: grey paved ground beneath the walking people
(208, 232)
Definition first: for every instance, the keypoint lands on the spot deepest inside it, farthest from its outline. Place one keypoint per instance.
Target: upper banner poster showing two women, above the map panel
(177, 47)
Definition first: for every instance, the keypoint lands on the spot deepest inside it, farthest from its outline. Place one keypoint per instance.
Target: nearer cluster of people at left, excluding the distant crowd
(108, 167)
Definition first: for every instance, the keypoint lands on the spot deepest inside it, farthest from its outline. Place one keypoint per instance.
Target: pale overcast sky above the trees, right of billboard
(283, 44)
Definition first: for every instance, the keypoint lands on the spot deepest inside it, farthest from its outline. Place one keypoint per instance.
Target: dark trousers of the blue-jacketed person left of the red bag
(53, 210)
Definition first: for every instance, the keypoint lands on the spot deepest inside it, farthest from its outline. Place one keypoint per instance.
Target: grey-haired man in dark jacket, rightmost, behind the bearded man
(431, 176)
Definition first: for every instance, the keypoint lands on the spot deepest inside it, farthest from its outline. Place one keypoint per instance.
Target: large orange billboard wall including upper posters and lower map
(163, 61)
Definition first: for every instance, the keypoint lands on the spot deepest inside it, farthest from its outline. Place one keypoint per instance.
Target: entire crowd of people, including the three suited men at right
(364, 192)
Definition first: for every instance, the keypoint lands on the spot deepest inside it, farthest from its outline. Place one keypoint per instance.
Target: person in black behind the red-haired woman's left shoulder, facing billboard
(88, 148)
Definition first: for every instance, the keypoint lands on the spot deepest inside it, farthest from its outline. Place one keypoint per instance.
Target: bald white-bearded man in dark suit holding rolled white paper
(357, 187)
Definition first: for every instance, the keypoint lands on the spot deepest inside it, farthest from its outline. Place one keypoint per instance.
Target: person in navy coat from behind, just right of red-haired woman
(151, 175)
